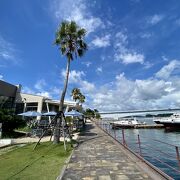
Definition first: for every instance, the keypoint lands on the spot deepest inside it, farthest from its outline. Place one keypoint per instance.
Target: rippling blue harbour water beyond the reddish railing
(155, 152)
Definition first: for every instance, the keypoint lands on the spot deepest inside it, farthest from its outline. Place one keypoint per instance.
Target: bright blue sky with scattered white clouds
(133, 57)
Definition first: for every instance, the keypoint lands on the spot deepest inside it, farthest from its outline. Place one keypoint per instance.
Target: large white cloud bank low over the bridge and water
(125, 94)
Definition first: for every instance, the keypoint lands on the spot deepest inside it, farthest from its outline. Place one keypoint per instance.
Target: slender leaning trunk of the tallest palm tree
(59, 119)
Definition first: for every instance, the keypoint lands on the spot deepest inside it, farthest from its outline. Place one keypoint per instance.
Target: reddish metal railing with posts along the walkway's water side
(143, 149)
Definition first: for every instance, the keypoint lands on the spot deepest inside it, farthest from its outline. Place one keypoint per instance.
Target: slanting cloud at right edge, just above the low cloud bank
(166, 71)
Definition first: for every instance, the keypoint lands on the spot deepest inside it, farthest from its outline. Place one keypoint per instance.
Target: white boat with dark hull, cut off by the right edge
(169, 122)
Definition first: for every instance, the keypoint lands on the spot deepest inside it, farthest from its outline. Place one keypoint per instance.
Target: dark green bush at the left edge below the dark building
(10, 121)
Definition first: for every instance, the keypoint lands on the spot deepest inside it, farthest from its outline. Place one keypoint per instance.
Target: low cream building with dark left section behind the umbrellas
(11, 97)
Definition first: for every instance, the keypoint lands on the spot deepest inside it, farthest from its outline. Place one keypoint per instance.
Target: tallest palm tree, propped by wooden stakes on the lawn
(70, 40)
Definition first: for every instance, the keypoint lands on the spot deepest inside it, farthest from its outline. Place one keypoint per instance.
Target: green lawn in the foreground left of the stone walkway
(45, 162)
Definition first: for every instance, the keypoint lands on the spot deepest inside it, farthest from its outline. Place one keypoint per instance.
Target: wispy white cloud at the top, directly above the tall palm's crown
(78, 11)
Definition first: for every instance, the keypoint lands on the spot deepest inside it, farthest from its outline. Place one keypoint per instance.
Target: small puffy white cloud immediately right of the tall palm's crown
(101, 42)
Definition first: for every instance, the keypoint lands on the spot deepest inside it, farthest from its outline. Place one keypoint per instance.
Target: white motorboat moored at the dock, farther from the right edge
(126, 123)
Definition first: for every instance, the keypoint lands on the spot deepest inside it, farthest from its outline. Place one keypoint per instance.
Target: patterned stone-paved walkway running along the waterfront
(99, 157)
